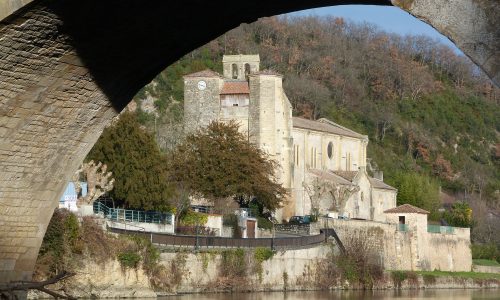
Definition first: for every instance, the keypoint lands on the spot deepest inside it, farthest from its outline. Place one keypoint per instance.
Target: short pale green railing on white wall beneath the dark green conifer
(128, 215)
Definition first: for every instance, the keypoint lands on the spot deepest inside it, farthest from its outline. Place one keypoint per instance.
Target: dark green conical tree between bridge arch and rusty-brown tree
(139, 169)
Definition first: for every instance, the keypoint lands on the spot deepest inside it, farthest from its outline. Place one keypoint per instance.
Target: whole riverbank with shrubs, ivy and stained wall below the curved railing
(125, 266)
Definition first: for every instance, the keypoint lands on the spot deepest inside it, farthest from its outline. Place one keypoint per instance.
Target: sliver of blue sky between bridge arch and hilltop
(388, 18)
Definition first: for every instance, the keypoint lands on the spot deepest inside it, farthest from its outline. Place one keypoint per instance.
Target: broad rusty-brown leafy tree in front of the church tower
(218, 162)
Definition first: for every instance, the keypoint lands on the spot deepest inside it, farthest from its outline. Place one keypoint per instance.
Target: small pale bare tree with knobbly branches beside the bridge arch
(99, 181)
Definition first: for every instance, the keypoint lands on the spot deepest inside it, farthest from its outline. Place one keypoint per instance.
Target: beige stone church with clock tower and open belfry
(322, 164)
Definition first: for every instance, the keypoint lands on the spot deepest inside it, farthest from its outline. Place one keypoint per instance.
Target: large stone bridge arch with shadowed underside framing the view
(68, 67)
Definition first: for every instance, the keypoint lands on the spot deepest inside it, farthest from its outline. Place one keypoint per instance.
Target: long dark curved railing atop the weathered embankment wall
(210, 242)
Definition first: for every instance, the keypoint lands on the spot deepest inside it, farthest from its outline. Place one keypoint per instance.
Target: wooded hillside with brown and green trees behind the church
(432, 118)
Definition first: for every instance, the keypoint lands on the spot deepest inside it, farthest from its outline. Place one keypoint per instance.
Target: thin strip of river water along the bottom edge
(456, 294)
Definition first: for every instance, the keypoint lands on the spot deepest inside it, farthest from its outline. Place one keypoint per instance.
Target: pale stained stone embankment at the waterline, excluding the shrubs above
(237, 270)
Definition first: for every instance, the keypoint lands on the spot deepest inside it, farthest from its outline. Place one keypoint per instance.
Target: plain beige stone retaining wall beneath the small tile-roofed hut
(413, 249)
